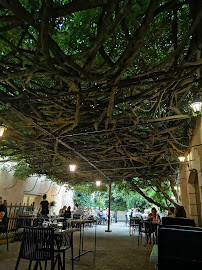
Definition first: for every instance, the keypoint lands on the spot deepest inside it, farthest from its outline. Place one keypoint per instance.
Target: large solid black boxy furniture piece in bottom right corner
(179, 247)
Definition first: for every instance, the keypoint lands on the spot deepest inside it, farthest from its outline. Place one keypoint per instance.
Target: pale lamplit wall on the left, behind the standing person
(13, 189)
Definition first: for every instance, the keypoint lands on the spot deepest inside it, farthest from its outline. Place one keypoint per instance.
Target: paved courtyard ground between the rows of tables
(115, 251)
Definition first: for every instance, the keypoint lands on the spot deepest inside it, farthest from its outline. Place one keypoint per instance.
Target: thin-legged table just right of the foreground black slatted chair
(81, 224)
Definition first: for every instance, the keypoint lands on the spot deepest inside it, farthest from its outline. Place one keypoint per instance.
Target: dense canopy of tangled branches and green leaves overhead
(103, 83)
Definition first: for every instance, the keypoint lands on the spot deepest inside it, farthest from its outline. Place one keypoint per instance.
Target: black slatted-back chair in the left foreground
(38, 246)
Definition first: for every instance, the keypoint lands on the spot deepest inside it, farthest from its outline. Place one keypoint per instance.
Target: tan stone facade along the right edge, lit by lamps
(190, 184)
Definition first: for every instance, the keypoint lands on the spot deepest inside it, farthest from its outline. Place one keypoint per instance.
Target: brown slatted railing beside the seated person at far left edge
(14, 211)
